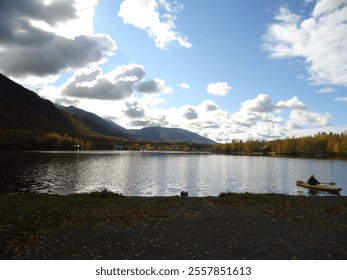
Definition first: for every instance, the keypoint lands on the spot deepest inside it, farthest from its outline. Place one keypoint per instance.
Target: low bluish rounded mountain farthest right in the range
(162, 134)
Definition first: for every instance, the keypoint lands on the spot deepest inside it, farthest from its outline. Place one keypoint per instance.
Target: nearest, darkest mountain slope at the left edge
(21, 108)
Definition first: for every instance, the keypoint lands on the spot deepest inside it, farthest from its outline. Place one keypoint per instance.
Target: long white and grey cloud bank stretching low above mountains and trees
(257, 118)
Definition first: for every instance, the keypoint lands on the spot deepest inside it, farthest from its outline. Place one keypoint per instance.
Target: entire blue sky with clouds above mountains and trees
(226, 69)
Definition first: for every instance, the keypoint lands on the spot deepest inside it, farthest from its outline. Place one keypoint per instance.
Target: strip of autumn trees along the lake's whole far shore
(321, 144)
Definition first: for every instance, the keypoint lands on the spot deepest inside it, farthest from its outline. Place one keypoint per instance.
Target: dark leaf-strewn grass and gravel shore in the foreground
(233, 226)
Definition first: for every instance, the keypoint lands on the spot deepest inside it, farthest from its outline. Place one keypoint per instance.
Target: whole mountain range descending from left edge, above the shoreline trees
(21, 108)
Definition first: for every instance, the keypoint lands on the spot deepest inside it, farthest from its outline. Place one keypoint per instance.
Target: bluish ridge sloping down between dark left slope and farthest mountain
(98, 124)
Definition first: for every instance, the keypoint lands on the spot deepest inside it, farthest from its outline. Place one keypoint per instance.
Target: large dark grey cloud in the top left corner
(29, 50)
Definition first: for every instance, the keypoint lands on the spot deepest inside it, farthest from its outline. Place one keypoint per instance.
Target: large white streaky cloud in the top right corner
(319, 39)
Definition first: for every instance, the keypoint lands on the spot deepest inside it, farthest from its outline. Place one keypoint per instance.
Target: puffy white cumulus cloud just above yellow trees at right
(261, 117)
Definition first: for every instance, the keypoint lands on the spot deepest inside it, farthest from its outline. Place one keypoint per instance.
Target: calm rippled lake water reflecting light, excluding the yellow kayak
(161, 174)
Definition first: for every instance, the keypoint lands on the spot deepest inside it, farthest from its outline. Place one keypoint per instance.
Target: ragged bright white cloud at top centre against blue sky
(145, 14)
